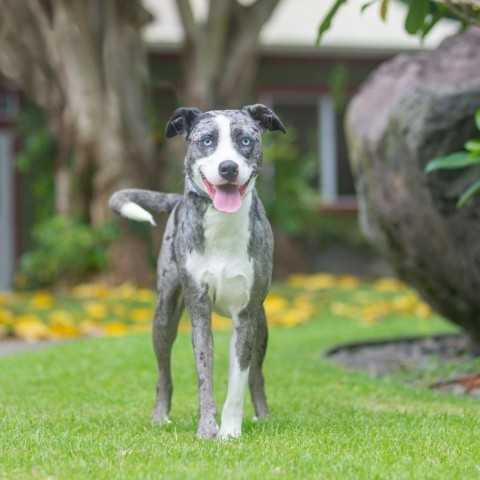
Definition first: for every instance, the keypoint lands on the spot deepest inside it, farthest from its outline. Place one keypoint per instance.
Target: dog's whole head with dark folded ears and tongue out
(224, 150)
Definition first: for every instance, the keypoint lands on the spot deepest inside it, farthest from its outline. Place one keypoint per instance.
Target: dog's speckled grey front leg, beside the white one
(200, 313)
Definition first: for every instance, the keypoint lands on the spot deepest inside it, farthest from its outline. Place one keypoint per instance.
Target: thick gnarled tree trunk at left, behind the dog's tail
(84, 63)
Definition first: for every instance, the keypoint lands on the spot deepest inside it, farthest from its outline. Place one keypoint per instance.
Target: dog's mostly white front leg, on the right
(241, 347)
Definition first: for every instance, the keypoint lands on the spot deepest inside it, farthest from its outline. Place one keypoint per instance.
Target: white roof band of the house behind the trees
(295, 23)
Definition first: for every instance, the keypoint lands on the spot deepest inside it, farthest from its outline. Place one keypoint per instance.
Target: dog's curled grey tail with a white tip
(130, 203)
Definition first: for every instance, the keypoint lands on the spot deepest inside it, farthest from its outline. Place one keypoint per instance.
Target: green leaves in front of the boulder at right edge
(468, 158)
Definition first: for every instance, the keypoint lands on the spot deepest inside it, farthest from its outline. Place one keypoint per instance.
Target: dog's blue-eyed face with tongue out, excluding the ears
(224, 156)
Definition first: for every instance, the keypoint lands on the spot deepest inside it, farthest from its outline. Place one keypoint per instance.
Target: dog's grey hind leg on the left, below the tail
(167, 315)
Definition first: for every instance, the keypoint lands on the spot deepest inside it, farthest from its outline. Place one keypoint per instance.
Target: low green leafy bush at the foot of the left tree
(65, 251)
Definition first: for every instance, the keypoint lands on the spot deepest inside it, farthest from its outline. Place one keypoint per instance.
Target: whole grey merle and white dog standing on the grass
(216, 255)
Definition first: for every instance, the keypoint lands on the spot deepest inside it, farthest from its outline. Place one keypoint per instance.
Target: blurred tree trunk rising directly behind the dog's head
(221, 54)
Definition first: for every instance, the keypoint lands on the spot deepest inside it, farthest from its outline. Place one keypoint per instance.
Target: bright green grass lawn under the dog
(81, 409)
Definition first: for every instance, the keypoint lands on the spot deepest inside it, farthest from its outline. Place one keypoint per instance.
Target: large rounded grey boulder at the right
(412, 109)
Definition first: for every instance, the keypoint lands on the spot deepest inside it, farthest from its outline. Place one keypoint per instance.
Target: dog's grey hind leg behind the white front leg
(255, 380)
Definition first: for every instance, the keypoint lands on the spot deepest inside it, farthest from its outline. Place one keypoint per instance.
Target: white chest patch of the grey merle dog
(225, 266)
